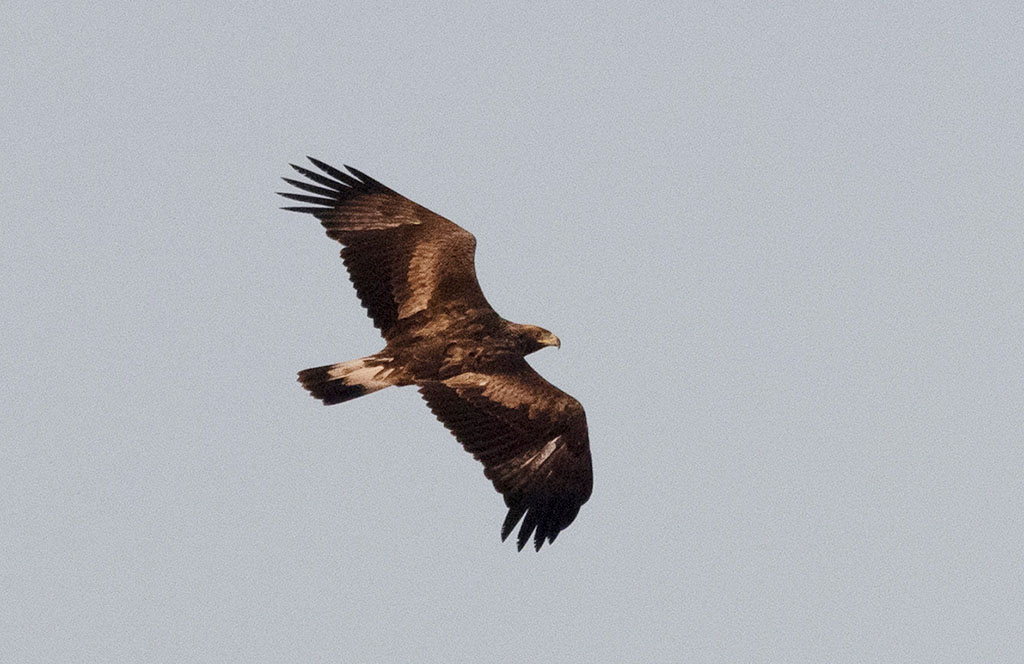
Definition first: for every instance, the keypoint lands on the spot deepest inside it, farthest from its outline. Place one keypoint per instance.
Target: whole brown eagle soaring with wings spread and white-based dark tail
(414, 273)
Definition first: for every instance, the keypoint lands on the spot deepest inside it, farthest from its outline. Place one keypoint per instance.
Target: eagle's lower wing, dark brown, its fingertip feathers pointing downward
(532, 439)
